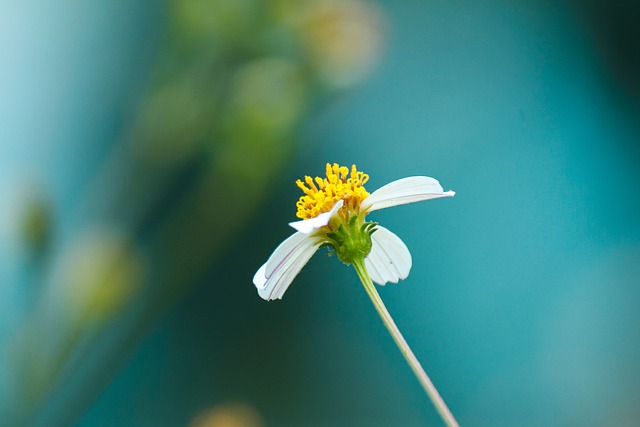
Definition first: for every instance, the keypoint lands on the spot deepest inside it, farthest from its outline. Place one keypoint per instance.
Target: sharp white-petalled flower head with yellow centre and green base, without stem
(333, 211)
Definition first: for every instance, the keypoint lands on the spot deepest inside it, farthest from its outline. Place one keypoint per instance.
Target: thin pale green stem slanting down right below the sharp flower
(426, 383)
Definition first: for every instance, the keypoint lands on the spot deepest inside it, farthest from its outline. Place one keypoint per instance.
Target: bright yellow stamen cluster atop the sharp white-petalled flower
(320, 194)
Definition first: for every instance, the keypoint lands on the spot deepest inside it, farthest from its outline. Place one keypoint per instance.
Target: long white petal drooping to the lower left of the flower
(275, 276)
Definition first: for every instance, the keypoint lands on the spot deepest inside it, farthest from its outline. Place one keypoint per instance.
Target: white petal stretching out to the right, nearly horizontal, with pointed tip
(406, 190)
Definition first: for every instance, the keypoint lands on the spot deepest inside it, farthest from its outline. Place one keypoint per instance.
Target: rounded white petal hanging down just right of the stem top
(389, 259)
